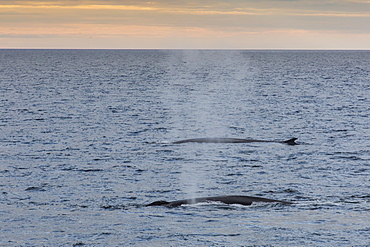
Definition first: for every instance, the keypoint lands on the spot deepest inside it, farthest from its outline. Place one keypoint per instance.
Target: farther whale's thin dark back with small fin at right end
(232, 140)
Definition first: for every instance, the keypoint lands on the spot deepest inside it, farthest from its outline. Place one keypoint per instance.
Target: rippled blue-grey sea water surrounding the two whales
(85, 143)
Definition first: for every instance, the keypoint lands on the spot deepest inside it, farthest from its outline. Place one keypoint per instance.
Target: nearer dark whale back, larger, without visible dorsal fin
(243, 200)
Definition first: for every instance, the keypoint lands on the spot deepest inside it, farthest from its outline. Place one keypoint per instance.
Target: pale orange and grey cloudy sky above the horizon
(186, 24)
